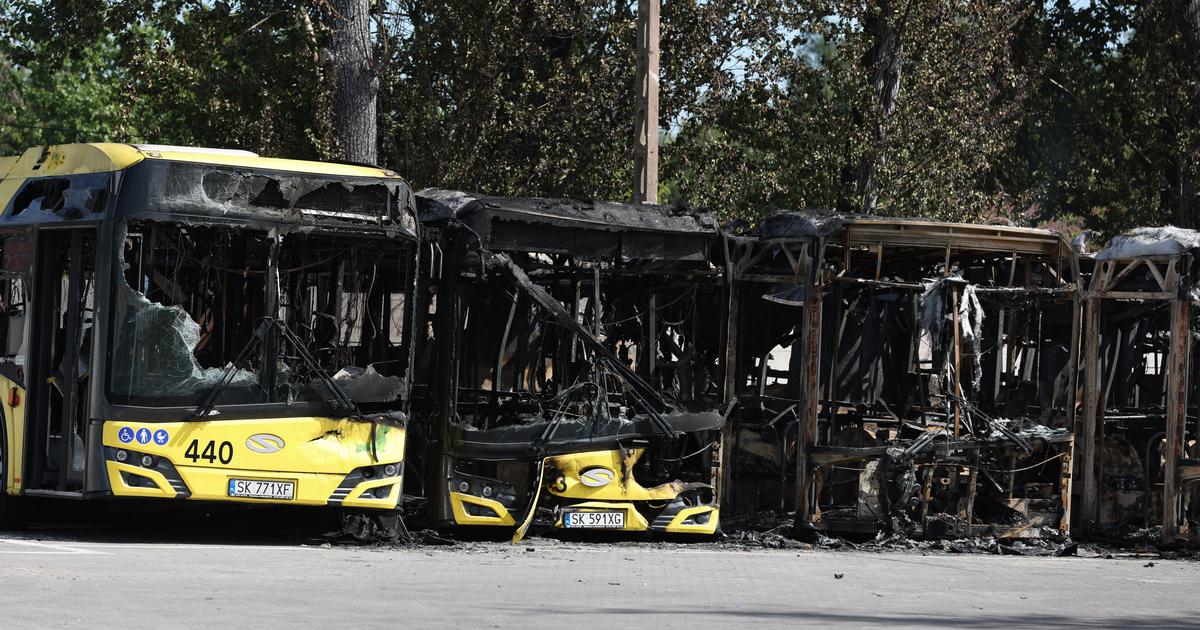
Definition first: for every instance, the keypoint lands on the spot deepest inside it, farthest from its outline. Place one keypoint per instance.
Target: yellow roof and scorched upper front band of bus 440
(99, 182)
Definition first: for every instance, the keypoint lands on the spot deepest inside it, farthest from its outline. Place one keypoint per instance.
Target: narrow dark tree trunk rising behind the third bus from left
(884, 62)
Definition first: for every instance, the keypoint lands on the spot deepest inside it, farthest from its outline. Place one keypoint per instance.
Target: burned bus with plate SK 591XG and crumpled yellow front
(575, 355)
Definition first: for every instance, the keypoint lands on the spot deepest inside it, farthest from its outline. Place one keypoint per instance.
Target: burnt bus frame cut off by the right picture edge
(1139, 453)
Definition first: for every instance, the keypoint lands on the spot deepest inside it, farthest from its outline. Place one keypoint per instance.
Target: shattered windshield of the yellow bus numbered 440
(206, 311)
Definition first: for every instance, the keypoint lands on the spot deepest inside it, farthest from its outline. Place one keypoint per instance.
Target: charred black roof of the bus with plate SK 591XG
(581, 229)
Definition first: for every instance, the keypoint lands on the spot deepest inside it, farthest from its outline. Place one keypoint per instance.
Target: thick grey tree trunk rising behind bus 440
(355, 82)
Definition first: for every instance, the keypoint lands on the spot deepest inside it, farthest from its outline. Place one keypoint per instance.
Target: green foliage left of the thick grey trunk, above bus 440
(178, 73)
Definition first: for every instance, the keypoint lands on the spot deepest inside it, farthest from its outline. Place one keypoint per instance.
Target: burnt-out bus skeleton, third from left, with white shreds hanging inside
(908, 377)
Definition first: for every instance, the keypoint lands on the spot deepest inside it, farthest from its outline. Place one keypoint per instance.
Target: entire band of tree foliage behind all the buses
(1067, 115)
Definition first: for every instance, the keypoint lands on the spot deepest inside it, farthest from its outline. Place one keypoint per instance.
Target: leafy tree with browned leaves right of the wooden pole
(911, 127)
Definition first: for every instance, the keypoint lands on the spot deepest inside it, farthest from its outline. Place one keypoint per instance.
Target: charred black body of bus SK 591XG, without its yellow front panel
(549, 349)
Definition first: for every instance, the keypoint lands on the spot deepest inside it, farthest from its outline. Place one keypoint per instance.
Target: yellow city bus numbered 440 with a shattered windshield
(203, 325)
